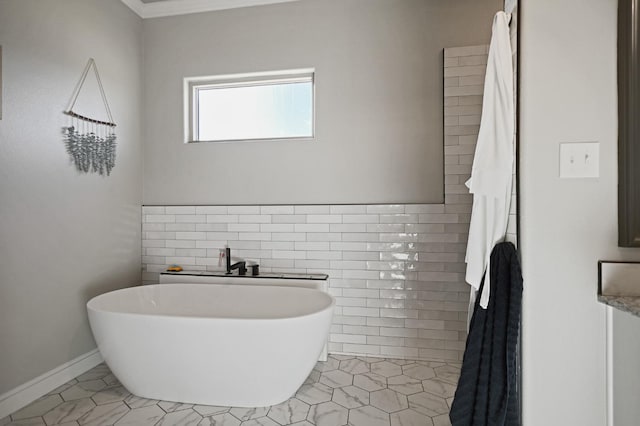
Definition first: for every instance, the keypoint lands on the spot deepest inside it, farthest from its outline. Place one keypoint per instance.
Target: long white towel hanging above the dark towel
(492, 170)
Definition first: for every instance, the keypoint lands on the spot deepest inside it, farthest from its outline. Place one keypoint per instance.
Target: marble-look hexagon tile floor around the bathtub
(345, 390)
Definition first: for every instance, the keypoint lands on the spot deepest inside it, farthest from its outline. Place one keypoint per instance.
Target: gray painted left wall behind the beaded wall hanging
(64, 237)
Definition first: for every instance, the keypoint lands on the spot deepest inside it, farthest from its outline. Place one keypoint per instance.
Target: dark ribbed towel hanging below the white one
(487, 389)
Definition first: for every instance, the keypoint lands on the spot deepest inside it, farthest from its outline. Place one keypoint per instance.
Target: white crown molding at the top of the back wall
(157, 8)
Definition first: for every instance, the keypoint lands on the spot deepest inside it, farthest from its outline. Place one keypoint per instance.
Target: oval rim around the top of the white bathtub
(330, 305)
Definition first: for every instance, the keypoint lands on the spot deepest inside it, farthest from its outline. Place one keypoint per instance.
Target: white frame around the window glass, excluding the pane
(193, 84)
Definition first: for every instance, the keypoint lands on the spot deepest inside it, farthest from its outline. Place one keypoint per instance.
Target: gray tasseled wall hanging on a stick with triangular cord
(91, 143)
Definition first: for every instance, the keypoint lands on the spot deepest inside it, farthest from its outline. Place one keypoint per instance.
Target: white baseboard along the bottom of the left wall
(23, 395)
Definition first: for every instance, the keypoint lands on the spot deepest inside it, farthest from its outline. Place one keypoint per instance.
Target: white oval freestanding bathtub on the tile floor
(212, 344)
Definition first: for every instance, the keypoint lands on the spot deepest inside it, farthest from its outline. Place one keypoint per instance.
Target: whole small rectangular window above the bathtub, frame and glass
(276, 105)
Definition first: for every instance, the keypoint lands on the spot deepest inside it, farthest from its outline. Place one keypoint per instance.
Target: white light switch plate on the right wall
(579, 160)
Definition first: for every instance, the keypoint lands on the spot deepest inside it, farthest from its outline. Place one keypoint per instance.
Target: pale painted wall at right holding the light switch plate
(568, 93)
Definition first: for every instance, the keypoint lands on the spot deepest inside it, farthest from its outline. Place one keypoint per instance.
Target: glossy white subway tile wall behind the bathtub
(397, 271)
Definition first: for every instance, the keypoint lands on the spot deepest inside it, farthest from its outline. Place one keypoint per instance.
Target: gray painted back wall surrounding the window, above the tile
(379, 100)
